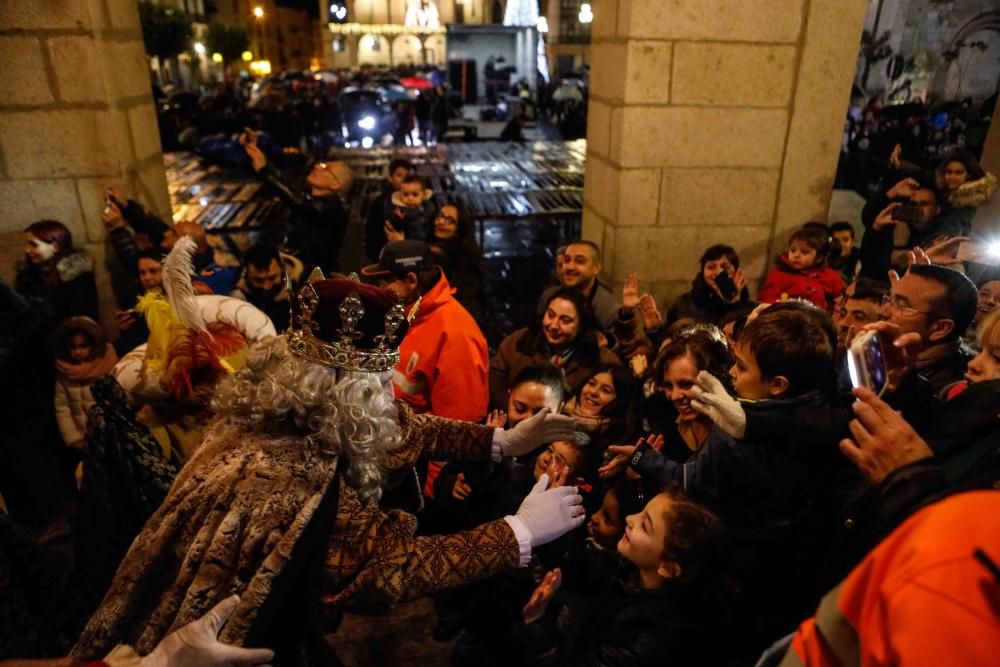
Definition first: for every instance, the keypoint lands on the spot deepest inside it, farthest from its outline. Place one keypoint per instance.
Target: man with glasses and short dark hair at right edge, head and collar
(938, 303)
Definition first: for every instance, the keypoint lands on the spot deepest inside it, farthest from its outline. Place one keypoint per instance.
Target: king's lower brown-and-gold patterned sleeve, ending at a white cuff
(374, 560)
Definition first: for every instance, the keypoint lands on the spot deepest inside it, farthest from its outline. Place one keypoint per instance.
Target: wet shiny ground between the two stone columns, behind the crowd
(526, 200)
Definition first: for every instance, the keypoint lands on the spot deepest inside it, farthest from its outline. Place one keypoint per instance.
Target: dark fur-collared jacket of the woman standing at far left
(72, 292)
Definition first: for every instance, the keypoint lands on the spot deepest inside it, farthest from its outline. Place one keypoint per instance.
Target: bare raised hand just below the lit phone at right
(883, 441)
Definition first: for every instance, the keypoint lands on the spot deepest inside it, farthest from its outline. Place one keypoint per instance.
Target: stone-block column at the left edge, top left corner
(76, 114)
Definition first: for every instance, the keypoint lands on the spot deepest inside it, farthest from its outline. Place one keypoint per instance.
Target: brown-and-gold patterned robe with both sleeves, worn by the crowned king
(242, 505)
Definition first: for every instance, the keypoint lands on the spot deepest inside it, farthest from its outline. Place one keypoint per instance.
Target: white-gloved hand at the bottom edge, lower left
(197, 644)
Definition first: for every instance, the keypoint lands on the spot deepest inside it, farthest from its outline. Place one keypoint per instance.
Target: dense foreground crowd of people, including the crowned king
(620, 481)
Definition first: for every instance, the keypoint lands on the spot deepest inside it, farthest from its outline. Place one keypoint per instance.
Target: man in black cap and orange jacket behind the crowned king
(443, 360)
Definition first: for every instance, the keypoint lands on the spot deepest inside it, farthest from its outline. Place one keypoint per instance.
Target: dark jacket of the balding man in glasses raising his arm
(318, 224)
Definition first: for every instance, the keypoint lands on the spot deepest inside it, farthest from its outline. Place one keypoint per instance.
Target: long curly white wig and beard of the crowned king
(344, 413)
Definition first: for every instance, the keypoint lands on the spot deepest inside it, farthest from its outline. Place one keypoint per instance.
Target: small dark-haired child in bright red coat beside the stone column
(801, 272)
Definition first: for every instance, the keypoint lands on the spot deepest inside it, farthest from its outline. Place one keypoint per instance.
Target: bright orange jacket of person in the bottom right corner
(929, 594)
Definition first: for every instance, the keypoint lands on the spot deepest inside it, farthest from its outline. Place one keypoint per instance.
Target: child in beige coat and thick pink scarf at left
(82, 356)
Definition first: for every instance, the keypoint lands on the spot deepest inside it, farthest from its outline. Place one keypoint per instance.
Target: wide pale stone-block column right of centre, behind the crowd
(712, 121)
